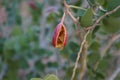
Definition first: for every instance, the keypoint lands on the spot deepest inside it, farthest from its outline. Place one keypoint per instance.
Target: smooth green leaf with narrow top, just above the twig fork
(87, 18)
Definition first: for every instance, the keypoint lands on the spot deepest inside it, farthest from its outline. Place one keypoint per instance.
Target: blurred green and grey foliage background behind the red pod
(26, 30)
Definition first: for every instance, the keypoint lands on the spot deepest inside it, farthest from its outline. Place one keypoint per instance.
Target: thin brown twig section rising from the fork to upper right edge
(100, 18)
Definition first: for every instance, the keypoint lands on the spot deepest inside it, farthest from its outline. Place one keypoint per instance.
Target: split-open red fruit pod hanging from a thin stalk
(60, 36)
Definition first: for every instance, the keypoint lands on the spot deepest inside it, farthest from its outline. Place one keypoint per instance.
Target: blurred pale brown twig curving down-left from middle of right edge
(106, 48)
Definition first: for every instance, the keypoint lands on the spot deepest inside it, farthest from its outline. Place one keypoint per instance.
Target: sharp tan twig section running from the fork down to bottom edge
(78, 56)
